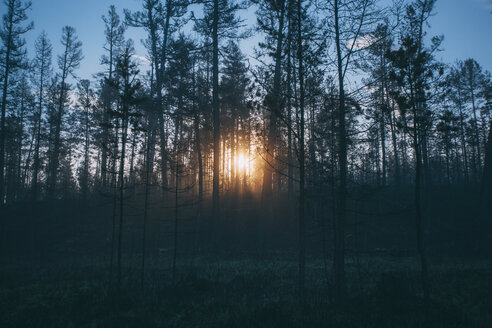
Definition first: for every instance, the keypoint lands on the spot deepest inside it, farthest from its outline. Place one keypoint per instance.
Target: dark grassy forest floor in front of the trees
(383, 291)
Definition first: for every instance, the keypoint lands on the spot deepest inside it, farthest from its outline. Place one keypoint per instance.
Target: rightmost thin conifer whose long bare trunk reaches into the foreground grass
(414, 70)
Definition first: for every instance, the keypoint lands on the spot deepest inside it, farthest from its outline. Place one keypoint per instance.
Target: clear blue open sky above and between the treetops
(465, 24)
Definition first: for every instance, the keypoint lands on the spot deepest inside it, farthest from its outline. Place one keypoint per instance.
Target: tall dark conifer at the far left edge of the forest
(13, 57)
